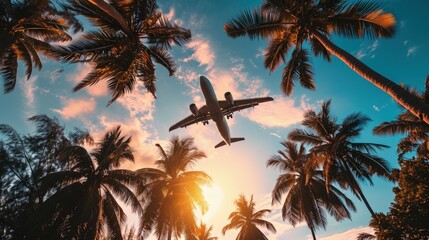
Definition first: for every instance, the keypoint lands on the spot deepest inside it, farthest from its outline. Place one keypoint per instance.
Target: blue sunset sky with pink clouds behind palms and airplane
(236, 65)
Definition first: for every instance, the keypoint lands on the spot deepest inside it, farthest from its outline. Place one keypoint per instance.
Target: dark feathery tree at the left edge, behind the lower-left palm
(25, 159)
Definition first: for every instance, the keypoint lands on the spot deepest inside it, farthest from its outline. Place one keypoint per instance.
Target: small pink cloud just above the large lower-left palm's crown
(76, 107)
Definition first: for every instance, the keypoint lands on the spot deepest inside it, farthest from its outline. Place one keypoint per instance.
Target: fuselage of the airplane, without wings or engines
(214, 109)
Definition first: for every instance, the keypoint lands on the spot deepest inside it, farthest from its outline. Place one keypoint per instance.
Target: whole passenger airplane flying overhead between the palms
(217, 110)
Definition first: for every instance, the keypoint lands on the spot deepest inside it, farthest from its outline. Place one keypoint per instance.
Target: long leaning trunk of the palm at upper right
(398, 93)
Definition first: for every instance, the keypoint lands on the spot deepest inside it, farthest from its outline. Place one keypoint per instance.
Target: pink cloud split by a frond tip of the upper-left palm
(98, 90)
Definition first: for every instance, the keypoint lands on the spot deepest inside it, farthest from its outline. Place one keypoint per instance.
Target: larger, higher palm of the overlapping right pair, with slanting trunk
(343, 160)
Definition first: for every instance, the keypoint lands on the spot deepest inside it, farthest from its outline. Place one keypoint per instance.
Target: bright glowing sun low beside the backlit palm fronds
(213, 195)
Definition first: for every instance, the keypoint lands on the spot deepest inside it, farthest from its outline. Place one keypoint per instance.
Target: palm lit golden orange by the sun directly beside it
(171, 191)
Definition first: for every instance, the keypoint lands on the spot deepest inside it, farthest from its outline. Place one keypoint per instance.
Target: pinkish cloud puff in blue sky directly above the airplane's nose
(203, 52)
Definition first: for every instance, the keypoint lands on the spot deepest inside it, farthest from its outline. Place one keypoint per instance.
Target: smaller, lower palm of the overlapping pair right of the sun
(306, 196)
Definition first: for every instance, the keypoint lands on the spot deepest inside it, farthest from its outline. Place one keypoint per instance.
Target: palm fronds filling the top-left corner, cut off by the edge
(26, 28)
